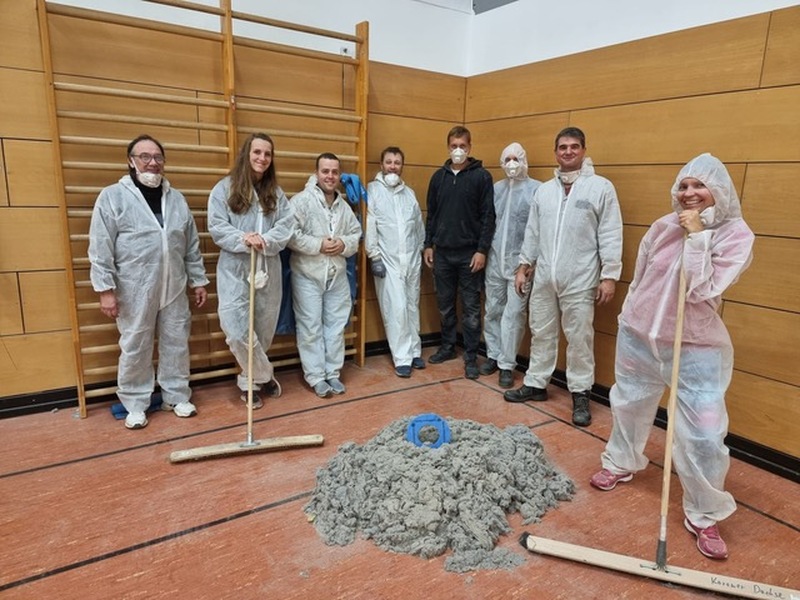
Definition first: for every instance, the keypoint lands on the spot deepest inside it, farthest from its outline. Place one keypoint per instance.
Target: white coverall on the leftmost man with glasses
(148, 266)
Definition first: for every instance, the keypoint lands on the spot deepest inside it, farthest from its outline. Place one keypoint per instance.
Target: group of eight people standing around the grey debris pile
(546, 252)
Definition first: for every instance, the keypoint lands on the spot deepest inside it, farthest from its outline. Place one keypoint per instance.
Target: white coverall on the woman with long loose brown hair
(227, 229)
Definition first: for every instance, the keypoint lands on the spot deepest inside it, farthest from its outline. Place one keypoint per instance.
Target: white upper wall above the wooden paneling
(440, 36)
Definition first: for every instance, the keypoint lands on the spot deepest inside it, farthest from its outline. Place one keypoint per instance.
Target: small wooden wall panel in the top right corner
(781, 66)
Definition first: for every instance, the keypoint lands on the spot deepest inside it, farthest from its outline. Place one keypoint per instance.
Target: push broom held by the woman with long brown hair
(249, 446)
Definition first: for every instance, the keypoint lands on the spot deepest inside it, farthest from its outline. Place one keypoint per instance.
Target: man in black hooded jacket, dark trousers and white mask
(460, 227)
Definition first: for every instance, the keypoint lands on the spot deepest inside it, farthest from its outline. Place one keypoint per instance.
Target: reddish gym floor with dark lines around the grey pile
(92, 510)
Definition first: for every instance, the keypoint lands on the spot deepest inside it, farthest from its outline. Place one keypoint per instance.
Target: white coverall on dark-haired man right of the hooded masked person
(574, 241)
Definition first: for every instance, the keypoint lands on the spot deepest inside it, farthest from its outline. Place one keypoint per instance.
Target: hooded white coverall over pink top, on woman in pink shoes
(712, 260)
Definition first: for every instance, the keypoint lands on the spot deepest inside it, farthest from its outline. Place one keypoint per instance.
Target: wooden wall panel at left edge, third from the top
(29, 168)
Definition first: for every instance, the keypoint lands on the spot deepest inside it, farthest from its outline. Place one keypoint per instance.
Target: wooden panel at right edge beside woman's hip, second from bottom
(765, 341)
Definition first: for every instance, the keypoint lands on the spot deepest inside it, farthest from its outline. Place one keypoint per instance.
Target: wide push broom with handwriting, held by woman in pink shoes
(659, 569)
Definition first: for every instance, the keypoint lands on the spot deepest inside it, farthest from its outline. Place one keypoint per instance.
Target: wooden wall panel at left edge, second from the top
(22, 96)
